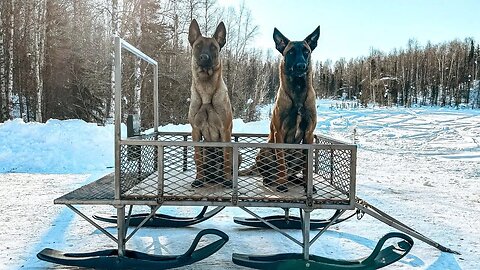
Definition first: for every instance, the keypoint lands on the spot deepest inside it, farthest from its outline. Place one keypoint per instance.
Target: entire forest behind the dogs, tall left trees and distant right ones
(56, 61)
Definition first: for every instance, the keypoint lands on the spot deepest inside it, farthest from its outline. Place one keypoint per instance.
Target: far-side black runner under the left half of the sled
(163, 220)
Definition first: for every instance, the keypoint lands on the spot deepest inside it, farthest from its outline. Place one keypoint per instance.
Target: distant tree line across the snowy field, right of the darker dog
(443, 74)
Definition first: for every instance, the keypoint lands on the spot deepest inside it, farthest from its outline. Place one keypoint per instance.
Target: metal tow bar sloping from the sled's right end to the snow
(376, 213)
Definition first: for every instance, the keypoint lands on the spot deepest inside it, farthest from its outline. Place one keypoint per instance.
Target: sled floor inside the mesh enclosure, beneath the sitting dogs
(178, 188)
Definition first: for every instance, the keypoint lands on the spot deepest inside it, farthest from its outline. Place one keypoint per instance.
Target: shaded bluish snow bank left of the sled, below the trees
(68, 146)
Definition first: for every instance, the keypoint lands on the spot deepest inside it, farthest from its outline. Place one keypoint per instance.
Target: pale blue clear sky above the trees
(351, 28)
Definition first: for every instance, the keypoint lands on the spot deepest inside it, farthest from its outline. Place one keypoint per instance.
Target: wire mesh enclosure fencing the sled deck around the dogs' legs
(172, 168)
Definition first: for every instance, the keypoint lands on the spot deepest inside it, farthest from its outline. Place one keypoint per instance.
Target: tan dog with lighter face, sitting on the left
(210, 112)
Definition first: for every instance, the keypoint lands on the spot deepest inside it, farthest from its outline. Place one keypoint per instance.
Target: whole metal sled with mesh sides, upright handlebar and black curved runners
(157, 168)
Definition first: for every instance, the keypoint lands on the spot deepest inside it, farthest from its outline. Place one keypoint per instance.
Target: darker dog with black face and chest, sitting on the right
(294, 114)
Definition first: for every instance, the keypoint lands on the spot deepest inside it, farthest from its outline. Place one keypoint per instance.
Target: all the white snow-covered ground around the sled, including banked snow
(421, 165)
